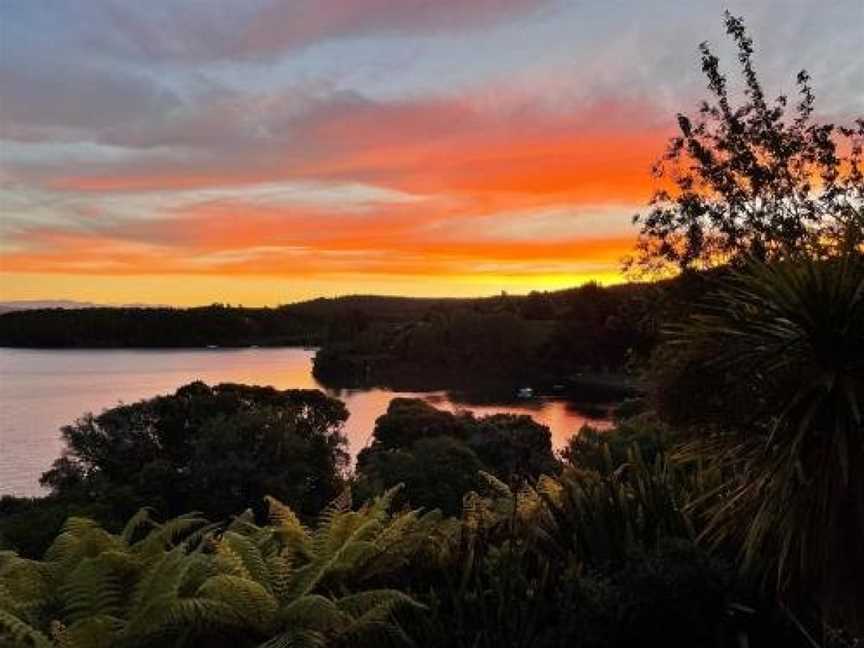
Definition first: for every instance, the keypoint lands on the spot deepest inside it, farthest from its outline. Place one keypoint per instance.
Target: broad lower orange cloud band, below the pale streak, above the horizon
(218, 237)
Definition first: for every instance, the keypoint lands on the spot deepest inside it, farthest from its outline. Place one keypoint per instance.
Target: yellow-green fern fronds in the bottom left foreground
(187, 583)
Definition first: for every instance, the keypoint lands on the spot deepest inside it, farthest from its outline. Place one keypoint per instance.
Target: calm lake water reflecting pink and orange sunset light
(43, 390)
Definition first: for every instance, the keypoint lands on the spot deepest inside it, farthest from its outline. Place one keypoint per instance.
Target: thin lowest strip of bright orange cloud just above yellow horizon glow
(84, 256)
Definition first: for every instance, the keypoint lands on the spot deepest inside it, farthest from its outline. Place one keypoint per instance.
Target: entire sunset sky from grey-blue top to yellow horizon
(261, 152)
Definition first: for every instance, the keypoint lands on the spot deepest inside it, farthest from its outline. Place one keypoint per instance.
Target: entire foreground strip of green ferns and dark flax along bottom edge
(545, 565)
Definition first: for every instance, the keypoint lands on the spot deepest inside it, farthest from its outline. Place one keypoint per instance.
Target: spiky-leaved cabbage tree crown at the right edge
(779, 353)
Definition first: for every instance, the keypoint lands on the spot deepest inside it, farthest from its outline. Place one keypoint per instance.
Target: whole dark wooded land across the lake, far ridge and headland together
(584, 337)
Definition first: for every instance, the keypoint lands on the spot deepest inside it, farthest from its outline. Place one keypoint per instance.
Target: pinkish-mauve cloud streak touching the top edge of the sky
(184, 32)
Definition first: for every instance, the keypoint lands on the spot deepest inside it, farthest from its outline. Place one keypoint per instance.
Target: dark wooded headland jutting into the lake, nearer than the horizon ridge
(585, 342)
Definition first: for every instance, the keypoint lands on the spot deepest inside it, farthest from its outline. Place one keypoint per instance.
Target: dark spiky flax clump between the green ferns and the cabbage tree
(583, 559)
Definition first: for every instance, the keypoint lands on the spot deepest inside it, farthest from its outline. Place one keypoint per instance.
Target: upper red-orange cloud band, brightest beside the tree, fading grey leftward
(597, 153)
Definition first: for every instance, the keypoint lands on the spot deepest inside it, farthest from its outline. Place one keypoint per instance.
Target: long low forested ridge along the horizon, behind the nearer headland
(311, 322)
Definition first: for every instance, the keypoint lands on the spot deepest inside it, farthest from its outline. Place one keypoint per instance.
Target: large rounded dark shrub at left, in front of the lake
(217, 450)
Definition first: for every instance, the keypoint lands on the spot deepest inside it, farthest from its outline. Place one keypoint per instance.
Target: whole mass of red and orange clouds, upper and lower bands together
(472, 172)
